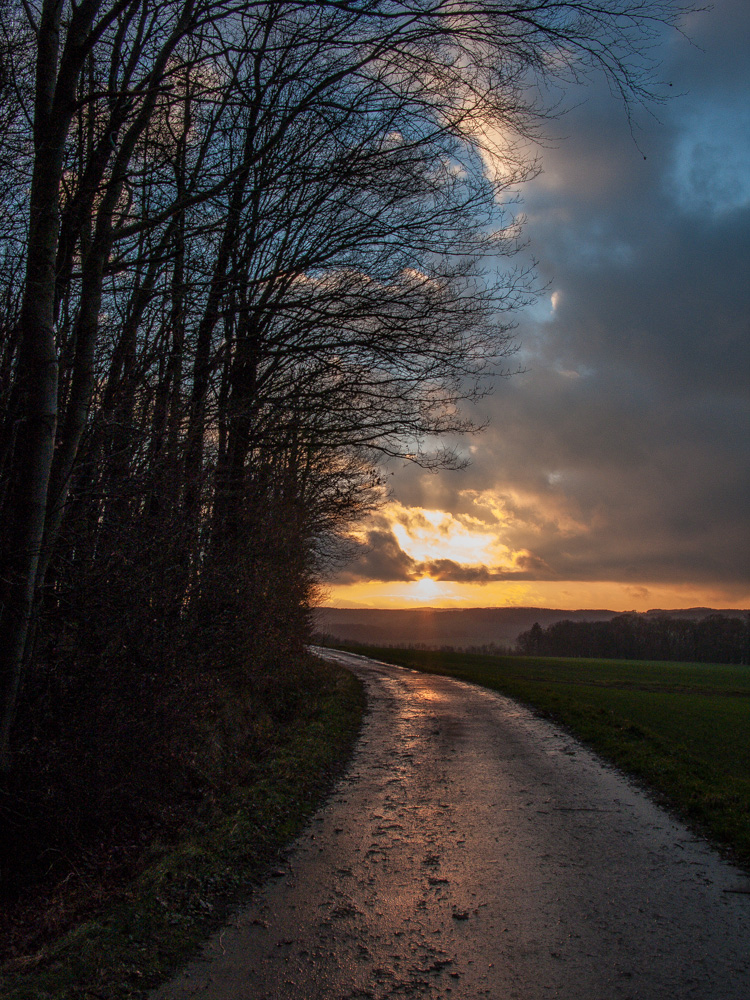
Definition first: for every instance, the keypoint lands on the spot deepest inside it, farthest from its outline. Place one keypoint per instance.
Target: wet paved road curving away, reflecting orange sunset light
(475, 850)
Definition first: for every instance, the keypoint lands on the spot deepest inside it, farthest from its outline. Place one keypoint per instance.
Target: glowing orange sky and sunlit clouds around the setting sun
(480, 556)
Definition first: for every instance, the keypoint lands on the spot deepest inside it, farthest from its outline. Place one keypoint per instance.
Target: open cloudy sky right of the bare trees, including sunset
(615, 470)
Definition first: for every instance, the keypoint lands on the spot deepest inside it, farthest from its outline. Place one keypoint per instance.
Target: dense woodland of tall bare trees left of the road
(246, 251)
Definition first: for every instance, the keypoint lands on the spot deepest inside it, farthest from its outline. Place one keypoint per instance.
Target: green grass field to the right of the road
(681, 728)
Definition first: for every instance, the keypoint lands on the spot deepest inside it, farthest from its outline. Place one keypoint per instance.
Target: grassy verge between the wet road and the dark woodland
(180, 890)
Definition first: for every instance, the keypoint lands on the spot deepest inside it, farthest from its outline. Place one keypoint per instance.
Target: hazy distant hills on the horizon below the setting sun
(460, 627)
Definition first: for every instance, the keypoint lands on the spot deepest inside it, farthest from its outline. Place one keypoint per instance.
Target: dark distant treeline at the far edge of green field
(713, 639)
